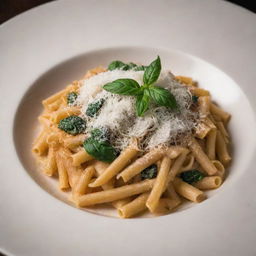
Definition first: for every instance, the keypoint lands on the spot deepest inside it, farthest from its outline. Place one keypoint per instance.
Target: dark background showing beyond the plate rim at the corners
(11, 8)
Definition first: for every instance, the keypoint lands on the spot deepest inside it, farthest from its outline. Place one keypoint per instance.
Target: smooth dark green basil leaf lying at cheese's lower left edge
(102, 151)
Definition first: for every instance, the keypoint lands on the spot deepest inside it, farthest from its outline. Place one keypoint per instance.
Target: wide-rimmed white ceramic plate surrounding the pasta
(47, 47)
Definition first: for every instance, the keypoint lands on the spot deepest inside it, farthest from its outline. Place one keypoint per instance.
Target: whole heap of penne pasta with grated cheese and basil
(137, 137)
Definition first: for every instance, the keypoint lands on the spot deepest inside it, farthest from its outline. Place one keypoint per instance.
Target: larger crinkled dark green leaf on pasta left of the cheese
(72, 125)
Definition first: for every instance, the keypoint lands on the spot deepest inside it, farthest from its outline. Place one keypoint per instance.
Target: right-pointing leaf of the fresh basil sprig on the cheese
(162, 97)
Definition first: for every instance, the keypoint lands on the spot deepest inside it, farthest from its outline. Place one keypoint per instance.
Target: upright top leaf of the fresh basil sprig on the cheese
(152, 72)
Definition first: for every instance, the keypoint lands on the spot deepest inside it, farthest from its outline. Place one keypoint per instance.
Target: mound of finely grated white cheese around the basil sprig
(159, 125)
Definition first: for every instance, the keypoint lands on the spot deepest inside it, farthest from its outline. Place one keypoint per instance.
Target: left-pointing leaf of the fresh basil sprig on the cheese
(123, 87)
